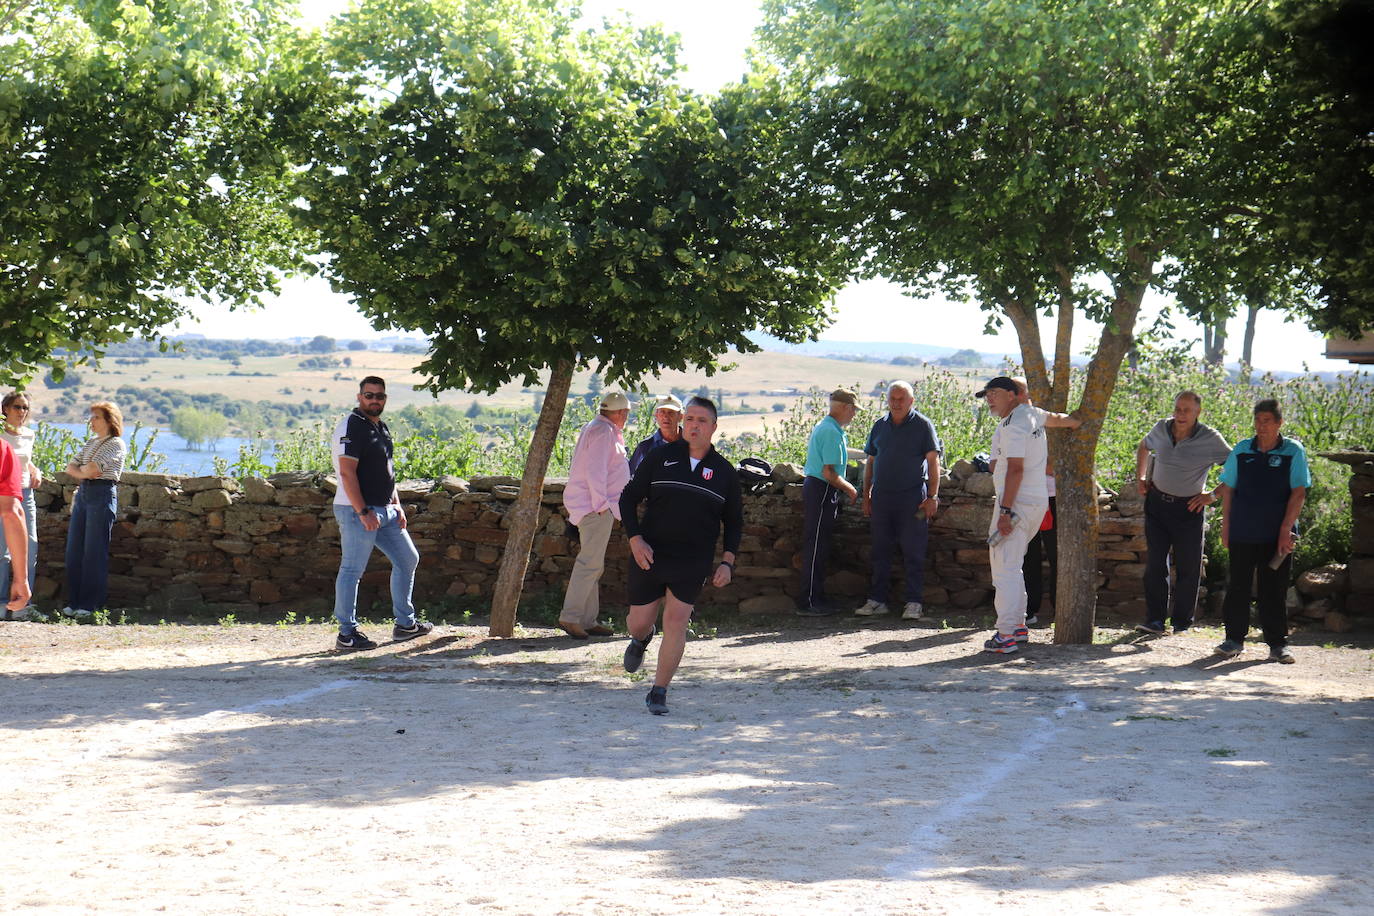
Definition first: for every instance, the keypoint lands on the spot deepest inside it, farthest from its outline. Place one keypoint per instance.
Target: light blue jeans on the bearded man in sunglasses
(357, 545)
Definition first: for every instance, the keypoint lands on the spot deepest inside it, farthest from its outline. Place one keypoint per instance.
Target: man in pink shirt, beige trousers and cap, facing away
(600, 473)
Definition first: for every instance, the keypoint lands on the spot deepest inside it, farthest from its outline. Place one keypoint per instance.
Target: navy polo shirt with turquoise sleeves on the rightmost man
(1262, 484)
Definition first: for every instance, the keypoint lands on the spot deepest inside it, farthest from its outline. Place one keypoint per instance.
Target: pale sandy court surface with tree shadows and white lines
(806, 771)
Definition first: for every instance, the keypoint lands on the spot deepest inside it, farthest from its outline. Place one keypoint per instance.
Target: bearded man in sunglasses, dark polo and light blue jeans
(370, 514)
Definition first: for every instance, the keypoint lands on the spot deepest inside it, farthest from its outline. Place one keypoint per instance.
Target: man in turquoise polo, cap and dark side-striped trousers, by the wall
(828, 453)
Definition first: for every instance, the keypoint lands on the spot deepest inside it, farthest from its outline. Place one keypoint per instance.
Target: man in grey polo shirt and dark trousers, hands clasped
(1175, 498)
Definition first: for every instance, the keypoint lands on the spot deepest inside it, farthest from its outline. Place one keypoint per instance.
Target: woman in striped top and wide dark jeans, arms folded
(98, 466)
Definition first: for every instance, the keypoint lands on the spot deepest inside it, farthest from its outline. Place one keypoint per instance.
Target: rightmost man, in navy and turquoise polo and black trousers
(1266, 481)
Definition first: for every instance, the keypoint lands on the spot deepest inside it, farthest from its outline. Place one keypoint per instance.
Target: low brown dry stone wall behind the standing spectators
(271, 546)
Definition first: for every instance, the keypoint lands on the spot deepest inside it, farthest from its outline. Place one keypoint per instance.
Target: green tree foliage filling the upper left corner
(133, 174)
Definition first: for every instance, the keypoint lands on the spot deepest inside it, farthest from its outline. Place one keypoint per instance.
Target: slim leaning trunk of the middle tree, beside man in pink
(523, 517)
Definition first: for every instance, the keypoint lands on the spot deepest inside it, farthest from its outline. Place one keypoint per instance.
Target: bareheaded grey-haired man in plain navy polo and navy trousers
(901, 496)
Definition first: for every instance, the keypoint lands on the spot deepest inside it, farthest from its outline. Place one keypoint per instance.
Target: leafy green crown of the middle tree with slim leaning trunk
(524, 192)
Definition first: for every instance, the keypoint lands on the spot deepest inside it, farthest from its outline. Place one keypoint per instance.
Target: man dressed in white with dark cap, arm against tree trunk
(1019, 458)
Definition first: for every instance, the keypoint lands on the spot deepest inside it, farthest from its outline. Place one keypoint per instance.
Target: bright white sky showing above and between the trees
(715, 39)
